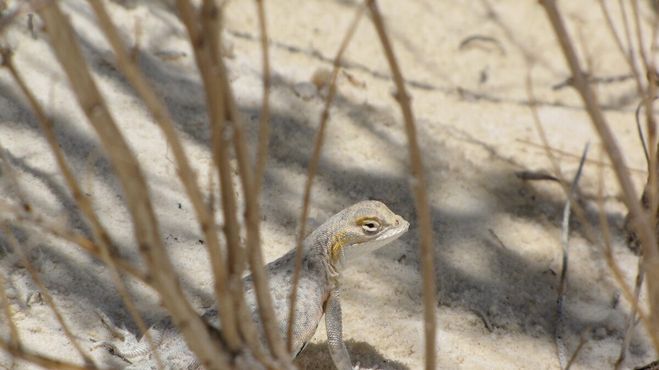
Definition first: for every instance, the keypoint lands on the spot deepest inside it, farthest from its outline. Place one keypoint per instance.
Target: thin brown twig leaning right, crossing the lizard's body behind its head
(311, 172)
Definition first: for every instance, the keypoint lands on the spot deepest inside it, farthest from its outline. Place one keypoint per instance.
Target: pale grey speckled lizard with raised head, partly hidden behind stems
(354, 231)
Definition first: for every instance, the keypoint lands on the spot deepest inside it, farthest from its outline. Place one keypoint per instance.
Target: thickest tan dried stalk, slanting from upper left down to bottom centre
(134, 185)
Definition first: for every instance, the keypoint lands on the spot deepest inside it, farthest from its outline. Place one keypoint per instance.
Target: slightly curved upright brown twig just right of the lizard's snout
(419, 189)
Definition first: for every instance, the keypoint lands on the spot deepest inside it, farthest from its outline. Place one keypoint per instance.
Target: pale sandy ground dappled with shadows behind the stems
(496, 242)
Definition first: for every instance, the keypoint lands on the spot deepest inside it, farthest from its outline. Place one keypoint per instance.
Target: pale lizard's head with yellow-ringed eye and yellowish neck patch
(364, 227)
